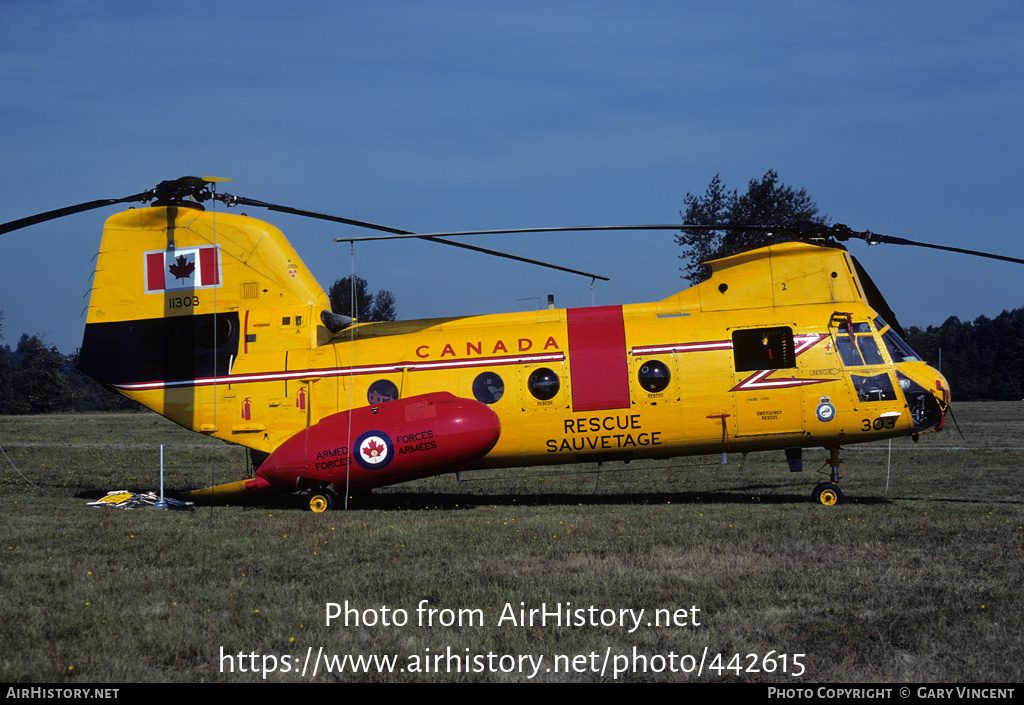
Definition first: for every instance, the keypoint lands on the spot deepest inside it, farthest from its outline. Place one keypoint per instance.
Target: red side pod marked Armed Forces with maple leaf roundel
(388, 443)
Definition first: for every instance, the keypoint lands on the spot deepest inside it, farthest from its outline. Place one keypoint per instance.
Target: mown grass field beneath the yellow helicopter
(918, 583)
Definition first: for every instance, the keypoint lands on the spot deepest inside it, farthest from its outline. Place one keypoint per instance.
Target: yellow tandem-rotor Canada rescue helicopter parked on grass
(214, 321)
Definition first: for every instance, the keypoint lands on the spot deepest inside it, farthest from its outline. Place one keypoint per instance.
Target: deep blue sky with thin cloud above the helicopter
(901, 118)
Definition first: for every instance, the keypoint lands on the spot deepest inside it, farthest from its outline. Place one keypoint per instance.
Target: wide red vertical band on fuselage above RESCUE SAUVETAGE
(599, 365)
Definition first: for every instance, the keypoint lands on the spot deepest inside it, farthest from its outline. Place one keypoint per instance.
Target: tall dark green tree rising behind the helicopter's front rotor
(767, 202)
